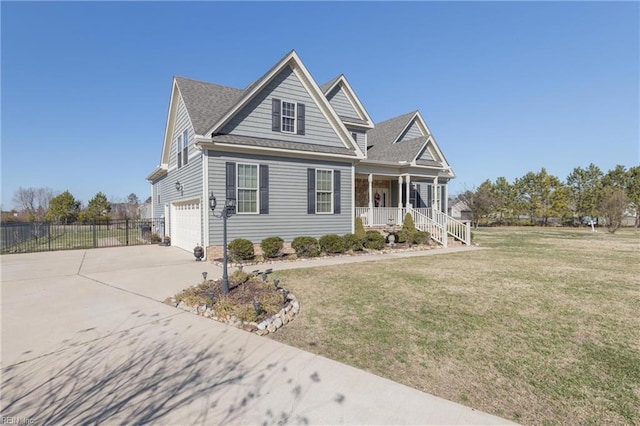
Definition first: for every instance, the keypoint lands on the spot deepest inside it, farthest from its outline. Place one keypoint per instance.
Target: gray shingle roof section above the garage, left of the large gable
(206, 102)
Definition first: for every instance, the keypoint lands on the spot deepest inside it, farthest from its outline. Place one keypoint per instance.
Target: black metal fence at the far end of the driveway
(47, 236)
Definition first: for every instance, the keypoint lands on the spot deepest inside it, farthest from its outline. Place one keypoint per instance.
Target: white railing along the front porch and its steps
(438, 224)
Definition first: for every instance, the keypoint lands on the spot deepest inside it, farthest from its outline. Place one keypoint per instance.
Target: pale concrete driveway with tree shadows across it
(86, 340)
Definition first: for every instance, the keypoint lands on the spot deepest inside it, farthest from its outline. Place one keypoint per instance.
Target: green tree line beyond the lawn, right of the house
(586, 194)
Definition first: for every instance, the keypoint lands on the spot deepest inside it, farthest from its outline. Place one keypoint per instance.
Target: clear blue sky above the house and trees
(505, 87)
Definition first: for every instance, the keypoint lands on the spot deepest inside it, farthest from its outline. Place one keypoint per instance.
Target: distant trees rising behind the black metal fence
(42, 204)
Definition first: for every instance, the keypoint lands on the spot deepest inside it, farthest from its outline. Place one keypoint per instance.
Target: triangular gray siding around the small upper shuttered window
(255, 118)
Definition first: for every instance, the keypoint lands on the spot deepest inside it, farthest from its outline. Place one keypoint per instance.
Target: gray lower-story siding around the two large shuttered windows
(287, 217)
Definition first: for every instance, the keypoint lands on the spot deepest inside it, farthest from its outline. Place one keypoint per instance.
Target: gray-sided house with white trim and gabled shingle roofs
(297, 158)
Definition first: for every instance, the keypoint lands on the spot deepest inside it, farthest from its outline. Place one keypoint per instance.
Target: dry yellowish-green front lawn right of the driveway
(542, 328)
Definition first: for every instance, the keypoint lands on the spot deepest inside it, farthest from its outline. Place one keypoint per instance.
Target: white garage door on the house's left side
(186, 224)
